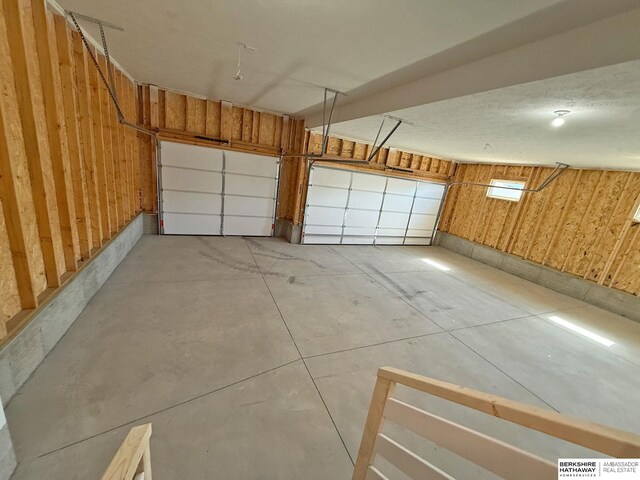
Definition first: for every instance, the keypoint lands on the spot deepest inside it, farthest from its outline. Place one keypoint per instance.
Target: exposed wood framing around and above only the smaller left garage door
(183, 118)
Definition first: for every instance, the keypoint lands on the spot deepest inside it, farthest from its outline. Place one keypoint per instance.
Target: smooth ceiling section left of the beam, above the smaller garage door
(189, 45)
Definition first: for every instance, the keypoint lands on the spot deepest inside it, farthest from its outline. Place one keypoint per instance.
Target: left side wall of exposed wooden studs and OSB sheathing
(69, 176)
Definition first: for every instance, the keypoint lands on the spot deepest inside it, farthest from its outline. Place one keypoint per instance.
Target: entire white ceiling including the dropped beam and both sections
(467, 73)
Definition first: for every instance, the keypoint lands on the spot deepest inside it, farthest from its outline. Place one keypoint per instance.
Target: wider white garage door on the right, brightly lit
(349, 207)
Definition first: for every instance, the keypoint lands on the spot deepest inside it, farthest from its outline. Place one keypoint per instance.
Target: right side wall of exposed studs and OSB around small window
(580, 224)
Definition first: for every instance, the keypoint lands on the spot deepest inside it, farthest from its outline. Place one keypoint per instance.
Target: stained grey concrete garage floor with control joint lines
(256, 359)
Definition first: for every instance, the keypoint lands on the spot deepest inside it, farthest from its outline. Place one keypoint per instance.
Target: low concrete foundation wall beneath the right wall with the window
(610, 299)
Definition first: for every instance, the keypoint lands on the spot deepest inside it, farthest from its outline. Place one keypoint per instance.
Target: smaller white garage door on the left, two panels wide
(206, 191)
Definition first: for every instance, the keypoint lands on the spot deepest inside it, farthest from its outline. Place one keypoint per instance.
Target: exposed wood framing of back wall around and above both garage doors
(182, 118)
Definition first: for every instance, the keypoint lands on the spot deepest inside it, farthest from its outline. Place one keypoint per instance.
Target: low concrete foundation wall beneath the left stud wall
(22, 355)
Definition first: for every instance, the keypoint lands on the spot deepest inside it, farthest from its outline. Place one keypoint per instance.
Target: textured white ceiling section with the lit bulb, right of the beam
(512, 125)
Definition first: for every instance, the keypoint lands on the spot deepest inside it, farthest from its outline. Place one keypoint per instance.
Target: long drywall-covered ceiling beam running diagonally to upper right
(607, 41)
